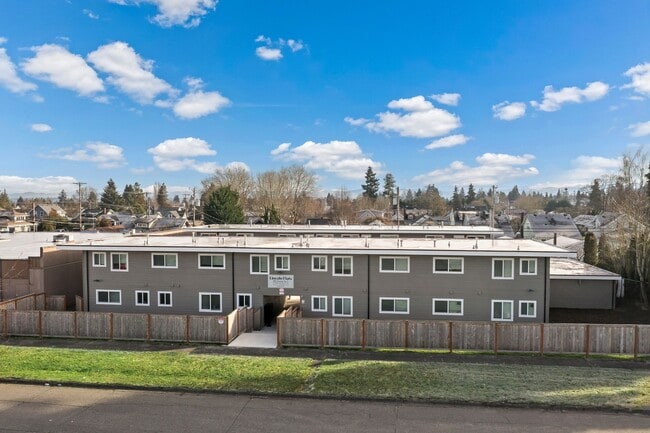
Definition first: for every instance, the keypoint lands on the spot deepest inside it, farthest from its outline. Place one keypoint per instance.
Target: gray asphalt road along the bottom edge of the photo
(39, 408)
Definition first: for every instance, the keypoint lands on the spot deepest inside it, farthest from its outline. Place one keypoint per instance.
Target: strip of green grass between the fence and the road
(586, 387)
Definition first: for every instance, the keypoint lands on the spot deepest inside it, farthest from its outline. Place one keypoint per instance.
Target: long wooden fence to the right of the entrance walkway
(457, 336)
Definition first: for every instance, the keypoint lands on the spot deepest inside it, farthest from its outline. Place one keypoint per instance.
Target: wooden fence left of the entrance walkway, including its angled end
(141, 327)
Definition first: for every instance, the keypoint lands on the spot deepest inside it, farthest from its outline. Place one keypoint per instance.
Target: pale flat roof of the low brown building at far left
(19, 246)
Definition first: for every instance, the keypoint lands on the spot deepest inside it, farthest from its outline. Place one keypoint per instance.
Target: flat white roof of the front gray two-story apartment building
(340, 246)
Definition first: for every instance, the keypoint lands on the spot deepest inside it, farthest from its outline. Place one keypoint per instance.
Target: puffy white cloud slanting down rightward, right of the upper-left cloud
(129, 72)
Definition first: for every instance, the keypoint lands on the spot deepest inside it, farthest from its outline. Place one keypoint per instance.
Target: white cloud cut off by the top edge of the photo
(186, 13)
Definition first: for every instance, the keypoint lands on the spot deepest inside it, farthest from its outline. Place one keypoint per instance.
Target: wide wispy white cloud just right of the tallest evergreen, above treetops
(491, 169)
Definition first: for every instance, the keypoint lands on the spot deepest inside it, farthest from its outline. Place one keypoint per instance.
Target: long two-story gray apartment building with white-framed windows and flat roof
(374, 278)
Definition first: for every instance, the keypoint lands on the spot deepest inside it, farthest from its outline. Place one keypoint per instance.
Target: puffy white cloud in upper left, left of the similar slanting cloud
(55, 64)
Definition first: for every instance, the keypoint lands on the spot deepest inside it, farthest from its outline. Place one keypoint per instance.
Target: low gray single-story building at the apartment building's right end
(575, 284)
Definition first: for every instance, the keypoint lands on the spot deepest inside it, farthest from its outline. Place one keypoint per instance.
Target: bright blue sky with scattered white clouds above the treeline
(539, 94)
